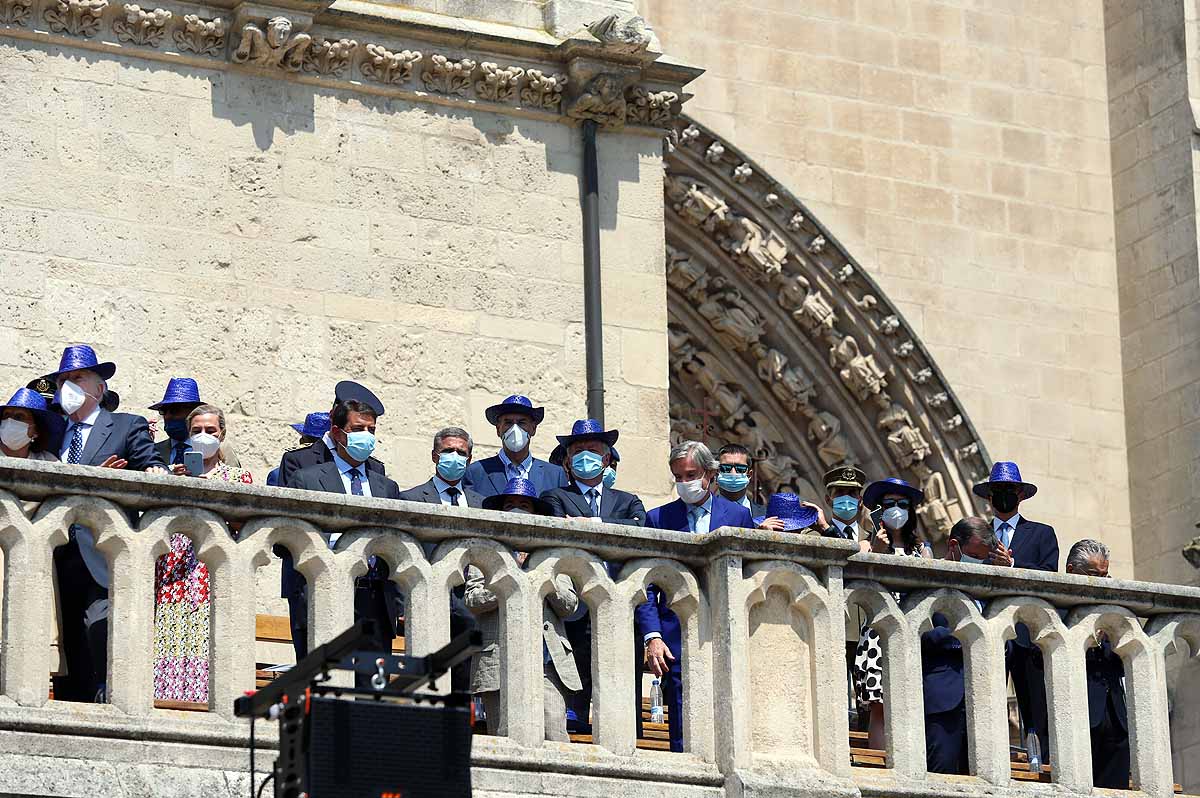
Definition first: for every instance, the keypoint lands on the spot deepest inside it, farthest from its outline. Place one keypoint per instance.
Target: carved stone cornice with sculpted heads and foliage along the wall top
(609, 74)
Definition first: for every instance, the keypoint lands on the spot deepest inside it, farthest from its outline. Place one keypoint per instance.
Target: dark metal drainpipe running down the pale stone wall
(593, 315)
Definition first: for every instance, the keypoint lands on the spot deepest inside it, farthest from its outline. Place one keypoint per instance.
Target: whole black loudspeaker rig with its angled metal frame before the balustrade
(383, 742)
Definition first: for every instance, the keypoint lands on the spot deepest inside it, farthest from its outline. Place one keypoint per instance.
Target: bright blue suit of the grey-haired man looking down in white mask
(655, 615)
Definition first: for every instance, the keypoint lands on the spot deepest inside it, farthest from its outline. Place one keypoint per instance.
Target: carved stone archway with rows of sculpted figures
(781, 341)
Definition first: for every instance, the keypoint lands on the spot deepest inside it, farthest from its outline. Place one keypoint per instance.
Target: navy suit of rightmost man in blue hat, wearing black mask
(1035, 547)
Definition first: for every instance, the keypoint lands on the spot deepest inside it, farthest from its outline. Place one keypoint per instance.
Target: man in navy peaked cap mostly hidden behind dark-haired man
(292, 583)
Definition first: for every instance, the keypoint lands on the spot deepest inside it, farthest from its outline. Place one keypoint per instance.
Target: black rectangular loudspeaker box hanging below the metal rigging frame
(370, 749)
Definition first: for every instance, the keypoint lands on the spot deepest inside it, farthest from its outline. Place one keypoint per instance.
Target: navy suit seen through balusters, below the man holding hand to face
(946, 713)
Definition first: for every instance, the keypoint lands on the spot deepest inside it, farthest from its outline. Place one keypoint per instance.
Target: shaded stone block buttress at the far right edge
(1153, 59)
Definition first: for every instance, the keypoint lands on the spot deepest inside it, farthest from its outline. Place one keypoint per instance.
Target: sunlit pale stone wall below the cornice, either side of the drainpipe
(271, 238)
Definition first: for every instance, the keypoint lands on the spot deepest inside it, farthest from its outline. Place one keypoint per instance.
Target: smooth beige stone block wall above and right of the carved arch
(961, 152)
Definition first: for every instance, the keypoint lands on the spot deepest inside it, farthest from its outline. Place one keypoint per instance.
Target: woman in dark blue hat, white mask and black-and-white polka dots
(893, 503)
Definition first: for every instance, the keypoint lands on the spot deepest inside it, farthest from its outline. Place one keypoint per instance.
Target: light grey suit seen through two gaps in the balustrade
(561, 675)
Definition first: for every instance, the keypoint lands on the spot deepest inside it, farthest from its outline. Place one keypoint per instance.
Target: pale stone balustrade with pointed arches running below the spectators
(765, 676)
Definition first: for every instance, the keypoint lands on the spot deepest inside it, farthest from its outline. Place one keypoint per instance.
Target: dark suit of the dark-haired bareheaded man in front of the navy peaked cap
(375, 596)
